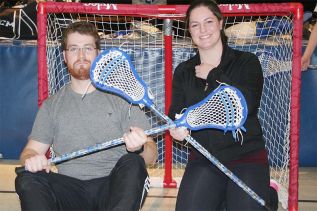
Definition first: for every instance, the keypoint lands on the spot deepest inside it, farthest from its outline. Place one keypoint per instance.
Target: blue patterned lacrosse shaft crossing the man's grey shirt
(98, 147)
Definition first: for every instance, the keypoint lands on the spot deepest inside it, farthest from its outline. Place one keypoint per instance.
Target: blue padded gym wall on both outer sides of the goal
(18, 101)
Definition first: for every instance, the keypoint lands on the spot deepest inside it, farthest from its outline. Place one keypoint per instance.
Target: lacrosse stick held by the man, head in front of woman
(191, 119)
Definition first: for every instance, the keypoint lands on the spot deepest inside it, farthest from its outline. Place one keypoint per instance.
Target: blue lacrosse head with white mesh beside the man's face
(113, 71)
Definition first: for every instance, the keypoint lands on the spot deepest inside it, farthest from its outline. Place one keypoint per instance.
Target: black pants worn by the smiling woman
(205, 187)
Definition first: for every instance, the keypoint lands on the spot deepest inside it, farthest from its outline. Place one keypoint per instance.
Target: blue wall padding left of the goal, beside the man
(18, 97)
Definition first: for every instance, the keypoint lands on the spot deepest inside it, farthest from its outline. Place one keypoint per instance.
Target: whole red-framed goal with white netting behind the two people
(156, 39)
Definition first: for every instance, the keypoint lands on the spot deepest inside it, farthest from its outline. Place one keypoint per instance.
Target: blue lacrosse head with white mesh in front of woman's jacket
(225, 109)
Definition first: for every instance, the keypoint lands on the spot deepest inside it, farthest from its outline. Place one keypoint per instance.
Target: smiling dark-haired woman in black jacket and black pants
(204, 186)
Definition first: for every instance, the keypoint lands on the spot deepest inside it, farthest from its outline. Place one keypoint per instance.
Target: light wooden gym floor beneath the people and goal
(158, 198)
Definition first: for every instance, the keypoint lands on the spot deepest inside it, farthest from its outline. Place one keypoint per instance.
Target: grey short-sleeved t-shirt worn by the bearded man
(70, 123)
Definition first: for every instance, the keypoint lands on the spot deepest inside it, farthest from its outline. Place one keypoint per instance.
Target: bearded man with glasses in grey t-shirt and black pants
(76, 117)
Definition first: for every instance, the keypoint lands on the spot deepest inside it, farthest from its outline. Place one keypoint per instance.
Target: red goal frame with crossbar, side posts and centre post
(228, 10)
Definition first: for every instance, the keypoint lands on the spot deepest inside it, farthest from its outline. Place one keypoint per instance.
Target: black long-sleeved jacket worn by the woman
(239, 69)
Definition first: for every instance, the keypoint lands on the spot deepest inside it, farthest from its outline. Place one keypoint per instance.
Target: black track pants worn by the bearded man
(124, 189)
